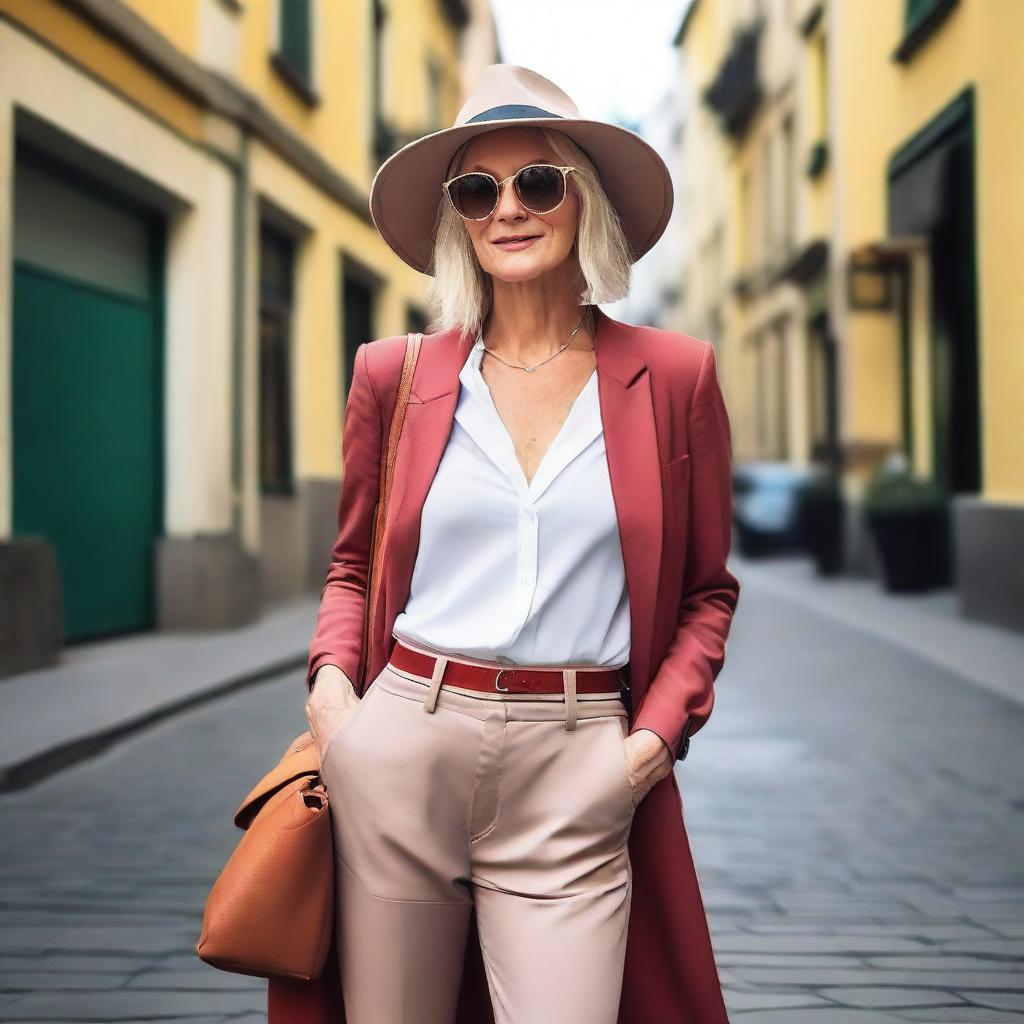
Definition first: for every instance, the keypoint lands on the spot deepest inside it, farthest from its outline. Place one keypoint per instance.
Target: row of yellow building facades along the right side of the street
(867, 180)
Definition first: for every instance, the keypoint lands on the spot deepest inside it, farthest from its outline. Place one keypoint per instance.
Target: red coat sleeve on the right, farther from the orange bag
(681, 696)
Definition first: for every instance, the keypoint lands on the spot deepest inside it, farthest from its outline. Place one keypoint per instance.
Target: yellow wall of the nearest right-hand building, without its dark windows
(881, 105)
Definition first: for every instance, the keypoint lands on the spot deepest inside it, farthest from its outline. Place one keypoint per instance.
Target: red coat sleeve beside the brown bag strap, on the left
(338, 634)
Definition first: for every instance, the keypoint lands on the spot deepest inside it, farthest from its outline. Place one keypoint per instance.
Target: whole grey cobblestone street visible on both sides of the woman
(858, 817)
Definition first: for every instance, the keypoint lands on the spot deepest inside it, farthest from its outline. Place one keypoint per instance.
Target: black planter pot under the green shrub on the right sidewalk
(914, 545)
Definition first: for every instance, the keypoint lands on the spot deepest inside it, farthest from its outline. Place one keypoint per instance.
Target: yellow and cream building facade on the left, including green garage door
(189, 266)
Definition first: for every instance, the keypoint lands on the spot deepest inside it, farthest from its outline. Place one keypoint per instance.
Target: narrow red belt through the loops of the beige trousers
(505, 679)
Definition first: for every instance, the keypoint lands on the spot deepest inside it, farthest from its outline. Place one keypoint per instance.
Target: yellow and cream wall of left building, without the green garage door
(183, 109)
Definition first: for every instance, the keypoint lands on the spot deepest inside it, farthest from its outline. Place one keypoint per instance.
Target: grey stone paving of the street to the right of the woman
(858, 818)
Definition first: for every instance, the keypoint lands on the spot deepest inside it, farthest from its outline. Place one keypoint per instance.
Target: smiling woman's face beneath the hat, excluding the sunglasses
(502, 153)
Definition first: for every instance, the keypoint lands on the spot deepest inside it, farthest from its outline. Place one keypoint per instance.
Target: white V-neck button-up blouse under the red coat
(506, 571)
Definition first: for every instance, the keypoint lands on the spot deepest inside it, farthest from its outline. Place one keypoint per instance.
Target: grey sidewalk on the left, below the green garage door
(52, 718)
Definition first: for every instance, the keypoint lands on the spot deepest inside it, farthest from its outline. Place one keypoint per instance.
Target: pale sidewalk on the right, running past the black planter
(929, 625)
